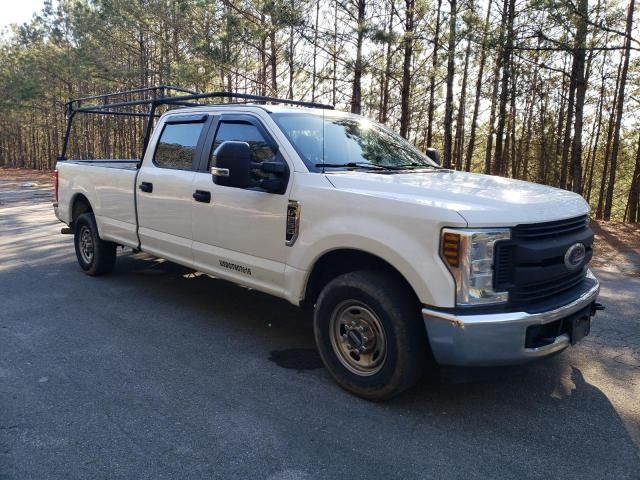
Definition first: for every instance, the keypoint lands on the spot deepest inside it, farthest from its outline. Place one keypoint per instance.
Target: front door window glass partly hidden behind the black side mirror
(261, 150)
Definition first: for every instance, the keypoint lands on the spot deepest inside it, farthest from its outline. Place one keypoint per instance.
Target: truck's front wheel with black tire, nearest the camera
(371, 302)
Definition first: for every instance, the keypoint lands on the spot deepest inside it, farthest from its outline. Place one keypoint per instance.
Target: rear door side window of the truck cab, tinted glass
(177, 145)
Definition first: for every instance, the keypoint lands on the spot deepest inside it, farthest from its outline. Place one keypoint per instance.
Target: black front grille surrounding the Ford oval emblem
(530, 266)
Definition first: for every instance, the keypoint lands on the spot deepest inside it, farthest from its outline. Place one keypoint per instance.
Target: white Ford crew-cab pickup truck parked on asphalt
(402, 262)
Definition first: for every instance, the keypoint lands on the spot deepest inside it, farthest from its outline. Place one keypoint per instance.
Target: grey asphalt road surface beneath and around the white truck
(155, 372)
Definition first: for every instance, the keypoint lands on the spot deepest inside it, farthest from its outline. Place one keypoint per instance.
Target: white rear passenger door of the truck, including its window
(164, 188)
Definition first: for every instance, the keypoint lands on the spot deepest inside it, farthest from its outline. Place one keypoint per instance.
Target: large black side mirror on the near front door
(232, 161)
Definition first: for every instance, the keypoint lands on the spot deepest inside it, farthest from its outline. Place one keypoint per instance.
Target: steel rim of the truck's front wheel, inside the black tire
(358, 338)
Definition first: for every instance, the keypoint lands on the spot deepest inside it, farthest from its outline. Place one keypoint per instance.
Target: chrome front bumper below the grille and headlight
(490, 339)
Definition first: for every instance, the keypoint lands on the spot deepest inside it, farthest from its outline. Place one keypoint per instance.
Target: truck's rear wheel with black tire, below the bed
(95, 256)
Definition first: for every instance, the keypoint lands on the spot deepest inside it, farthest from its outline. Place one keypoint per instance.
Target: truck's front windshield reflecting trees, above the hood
(348, 142)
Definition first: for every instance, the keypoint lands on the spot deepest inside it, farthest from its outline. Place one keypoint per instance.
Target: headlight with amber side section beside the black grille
(468, 254)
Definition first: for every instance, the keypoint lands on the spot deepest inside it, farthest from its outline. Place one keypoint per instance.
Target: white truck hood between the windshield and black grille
(482, 200)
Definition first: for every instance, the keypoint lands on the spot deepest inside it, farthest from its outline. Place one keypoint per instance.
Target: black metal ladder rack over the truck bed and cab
(154, 97)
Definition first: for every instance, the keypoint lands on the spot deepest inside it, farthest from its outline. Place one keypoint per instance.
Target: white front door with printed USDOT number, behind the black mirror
(239, 233)
